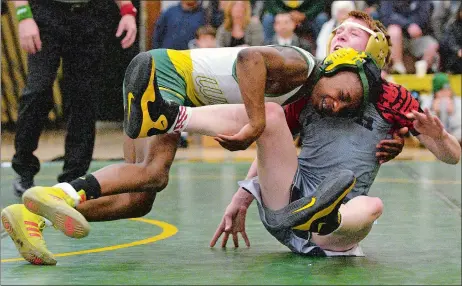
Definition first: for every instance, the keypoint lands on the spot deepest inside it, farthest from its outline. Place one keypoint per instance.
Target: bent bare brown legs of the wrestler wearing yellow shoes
(144, 173)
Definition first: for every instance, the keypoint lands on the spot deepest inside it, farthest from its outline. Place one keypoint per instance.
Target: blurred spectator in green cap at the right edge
(446, 105)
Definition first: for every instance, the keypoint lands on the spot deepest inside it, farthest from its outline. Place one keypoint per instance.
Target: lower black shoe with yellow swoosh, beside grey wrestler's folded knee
(318, 213)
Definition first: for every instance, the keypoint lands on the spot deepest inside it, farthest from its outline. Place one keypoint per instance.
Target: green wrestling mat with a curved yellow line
(417, 240)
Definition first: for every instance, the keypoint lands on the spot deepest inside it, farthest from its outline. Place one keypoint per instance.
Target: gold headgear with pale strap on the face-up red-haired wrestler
(377, 45)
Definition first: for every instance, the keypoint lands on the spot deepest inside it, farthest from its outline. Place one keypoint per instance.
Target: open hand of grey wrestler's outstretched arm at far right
(428, 124)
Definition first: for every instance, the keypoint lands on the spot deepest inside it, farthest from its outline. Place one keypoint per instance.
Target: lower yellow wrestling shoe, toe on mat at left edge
(25, 229)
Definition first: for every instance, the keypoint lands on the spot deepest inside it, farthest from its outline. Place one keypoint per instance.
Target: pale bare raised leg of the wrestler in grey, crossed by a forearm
(276, 153)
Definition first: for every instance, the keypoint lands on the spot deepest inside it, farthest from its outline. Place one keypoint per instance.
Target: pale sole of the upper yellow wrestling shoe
(65, 218)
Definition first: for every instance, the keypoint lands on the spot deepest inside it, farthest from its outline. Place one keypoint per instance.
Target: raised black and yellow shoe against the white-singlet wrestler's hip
(146, 112)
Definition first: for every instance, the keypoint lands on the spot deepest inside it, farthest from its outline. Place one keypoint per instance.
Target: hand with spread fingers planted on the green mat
(233, 222)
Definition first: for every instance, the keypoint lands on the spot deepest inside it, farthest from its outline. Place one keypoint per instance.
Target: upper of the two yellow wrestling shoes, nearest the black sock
(54, 204)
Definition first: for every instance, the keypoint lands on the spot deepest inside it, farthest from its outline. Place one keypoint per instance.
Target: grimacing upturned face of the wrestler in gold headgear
(350, 36)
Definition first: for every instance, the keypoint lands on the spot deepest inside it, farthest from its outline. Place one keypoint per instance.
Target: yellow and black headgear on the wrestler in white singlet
(362, 63)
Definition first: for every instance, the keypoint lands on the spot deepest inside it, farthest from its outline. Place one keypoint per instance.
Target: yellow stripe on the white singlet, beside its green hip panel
(182, 62)
